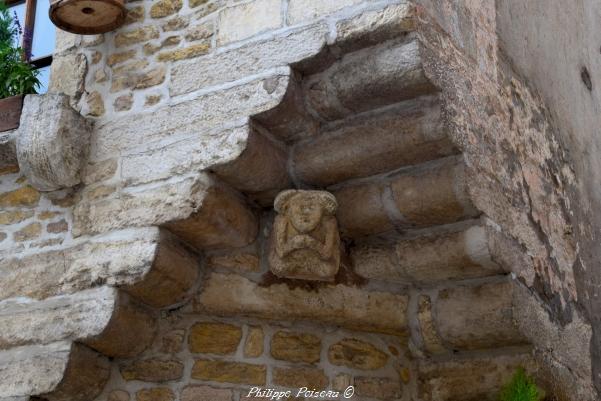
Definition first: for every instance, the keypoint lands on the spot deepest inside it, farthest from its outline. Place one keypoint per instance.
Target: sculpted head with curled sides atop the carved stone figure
(305, 209)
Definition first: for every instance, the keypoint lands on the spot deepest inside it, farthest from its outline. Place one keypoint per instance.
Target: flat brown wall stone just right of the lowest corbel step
(153, 370)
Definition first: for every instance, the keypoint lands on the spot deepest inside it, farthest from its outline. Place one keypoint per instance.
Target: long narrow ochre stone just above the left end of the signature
(229, 372)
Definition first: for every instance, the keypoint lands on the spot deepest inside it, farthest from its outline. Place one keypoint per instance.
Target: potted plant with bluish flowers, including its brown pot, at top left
(17, 77)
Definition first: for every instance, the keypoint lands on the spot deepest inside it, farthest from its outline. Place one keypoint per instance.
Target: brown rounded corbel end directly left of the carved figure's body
(222, 220)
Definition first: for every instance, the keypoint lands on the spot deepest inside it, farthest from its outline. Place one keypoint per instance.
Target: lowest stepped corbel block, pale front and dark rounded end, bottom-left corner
(60, 371)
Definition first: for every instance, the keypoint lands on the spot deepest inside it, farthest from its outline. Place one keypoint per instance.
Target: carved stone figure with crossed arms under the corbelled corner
(305, 243)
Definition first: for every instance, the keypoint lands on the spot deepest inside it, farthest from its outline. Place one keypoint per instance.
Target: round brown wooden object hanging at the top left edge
(88, 17)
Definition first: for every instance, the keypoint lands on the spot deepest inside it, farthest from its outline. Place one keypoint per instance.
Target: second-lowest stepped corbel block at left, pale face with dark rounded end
(99, 317)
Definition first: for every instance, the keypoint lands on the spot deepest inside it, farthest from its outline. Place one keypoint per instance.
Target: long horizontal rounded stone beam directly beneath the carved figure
(336, 304)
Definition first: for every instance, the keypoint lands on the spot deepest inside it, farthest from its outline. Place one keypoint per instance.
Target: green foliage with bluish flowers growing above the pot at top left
(17, 77)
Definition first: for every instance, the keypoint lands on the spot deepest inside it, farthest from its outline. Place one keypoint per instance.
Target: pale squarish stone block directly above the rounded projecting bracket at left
(67, 75)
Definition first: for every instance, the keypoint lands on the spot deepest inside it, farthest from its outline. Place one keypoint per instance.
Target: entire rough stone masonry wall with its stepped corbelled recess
(142, 201)
